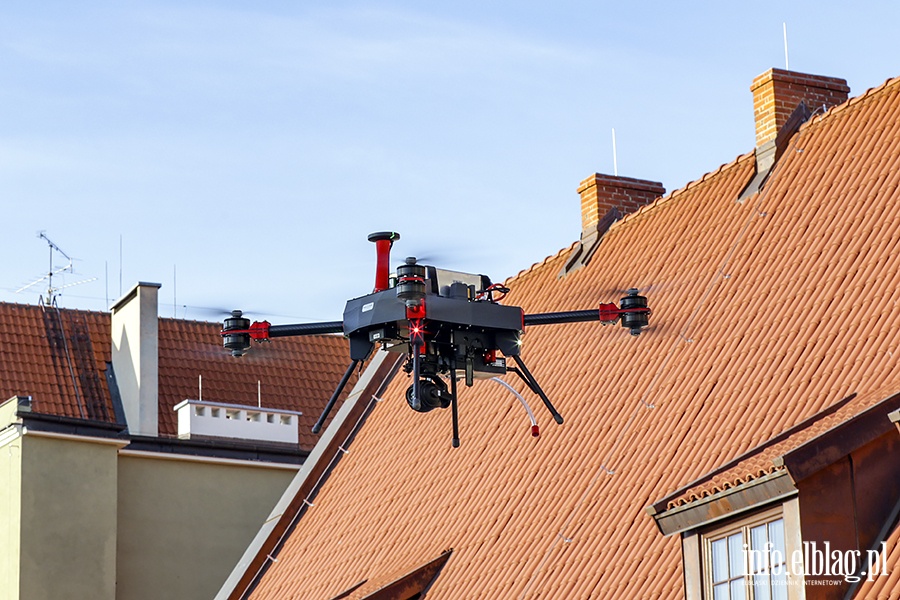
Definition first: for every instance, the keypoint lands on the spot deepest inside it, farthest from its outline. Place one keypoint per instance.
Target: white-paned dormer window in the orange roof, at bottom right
(747, 560)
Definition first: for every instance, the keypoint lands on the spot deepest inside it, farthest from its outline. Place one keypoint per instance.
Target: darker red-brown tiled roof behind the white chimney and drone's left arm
(39, 360)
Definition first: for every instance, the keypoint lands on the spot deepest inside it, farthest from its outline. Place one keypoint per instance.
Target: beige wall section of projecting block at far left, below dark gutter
(68, 518)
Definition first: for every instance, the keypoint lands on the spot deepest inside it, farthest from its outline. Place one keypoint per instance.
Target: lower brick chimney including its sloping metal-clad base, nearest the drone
(604, 200)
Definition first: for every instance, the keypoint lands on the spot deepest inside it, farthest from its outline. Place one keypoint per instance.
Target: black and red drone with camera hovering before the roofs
(451, 326)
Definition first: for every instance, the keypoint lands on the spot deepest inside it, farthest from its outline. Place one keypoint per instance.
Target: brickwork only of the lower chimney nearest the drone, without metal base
(602, 193)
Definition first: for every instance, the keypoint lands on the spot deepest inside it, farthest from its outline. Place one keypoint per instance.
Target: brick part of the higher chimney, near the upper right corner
(776, 93)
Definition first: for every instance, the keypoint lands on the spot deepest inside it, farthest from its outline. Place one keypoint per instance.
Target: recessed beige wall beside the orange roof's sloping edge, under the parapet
(184, 523)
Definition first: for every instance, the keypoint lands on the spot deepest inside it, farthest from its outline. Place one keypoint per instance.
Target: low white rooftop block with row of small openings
(202, 418)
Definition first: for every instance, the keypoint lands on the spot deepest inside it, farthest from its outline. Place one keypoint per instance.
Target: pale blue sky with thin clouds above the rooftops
(242, 152)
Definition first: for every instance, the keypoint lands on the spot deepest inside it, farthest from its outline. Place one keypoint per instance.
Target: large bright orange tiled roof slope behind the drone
(764, 314)
